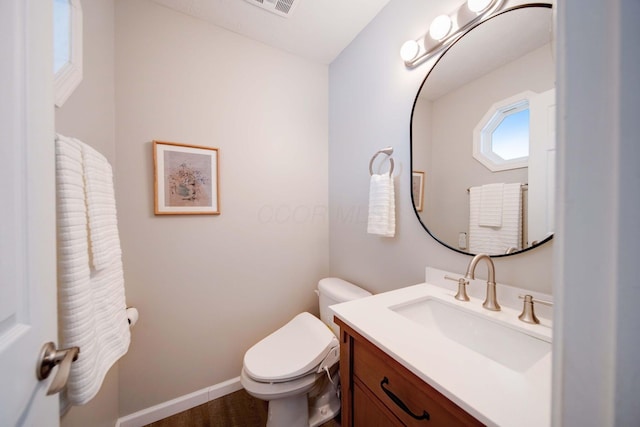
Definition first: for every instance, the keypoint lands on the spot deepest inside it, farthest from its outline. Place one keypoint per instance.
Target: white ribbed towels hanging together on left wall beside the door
(91, 301)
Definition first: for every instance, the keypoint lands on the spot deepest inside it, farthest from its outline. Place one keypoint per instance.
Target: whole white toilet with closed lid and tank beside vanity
(295, 368)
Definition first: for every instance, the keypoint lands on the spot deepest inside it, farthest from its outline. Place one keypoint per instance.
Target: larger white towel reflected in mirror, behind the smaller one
(496, 240)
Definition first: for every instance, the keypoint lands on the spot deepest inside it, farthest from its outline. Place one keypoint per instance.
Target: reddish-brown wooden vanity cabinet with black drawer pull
(378, 391)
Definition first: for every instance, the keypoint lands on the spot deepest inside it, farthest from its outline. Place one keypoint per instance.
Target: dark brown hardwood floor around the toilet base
(237, 409)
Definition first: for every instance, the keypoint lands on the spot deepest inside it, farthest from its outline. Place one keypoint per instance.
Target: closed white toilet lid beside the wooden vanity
(290, 352)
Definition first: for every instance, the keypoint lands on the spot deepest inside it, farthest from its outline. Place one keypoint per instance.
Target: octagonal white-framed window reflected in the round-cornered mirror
(501, 139)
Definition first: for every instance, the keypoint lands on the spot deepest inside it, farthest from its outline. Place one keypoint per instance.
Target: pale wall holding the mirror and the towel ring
(371, 94)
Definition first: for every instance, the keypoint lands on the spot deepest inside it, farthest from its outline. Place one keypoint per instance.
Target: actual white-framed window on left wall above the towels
(67, 47)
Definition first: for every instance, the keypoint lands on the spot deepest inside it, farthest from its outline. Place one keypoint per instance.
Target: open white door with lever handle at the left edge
(27, 211)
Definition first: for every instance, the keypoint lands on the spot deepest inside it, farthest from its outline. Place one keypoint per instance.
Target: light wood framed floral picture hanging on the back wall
(185, 179)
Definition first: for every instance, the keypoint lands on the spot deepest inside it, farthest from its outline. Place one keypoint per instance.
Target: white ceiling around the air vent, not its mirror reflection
(315, 29)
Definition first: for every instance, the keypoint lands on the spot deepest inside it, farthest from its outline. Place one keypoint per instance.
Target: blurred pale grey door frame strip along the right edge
(596, 346)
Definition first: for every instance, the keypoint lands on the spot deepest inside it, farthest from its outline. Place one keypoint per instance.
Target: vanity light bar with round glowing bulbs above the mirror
(445, 29)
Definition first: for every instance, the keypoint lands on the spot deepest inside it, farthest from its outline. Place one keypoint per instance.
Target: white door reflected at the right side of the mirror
(542, 160)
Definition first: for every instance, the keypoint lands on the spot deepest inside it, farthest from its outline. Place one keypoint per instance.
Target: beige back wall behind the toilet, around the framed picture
(209, 287)
